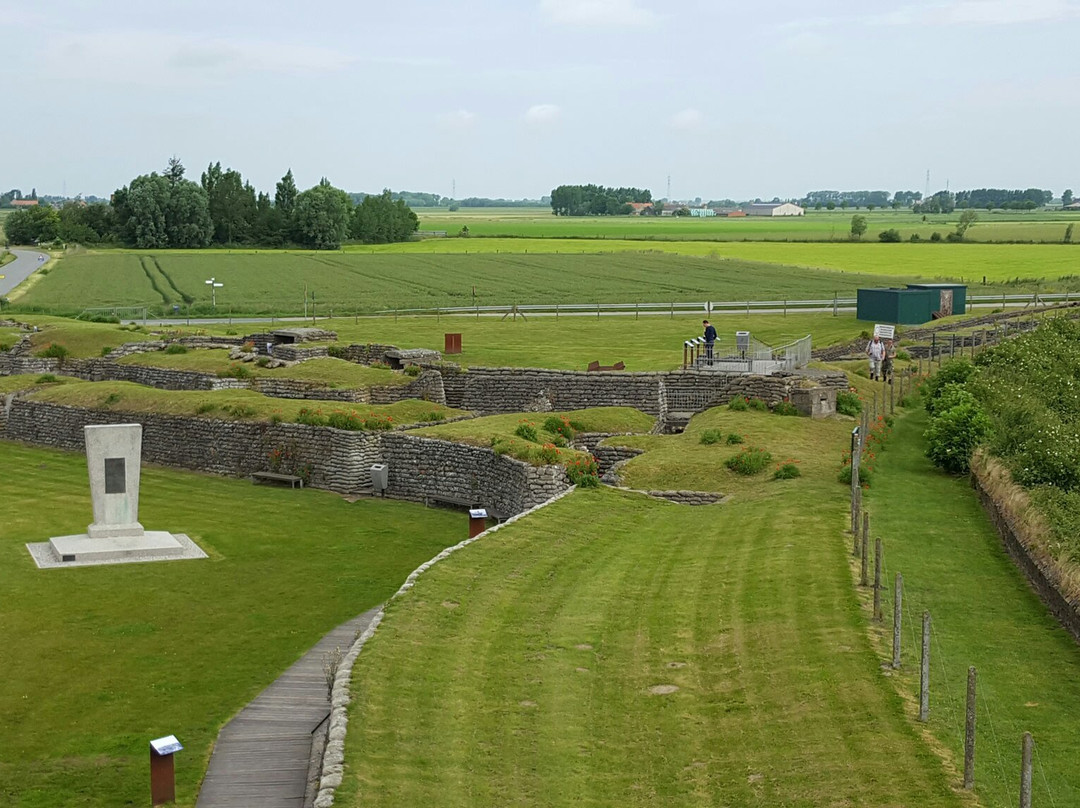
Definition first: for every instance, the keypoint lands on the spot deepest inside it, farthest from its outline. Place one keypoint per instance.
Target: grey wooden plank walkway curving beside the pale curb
(264, 756)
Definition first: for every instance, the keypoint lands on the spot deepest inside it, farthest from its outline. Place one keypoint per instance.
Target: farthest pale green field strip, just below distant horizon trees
(539, 223)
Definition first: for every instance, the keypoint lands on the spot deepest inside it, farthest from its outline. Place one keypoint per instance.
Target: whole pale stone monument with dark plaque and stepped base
(114, 460)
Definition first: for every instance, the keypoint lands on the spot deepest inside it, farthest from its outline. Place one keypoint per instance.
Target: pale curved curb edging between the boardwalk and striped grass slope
(333, 769)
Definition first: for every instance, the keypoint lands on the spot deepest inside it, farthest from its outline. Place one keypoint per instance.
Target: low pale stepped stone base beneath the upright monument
(70, 551)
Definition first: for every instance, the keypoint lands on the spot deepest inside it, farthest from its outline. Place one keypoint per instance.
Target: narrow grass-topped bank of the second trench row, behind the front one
(331, 373)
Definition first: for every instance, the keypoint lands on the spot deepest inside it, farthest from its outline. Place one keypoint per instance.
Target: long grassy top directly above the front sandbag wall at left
(126, 397)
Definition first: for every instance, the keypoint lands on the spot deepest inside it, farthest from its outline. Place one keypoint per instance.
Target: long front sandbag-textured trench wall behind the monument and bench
(421, 469)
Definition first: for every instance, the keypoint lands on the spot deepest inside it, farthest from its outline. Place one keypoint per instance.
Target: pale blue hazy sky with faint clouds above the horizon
(514, 98)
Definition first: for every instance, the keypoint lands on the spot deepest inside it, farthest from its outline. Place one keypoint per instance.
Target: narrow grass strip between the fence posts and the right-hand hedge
(984, 615)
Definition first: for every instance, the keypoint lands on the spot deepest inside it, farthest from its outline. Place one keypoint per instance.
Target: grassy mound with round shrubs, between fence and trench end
(682, 462)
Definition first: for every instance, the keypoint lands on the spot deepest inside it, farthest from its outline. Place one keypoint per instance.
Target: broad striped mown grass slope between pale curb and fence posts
(615, 651)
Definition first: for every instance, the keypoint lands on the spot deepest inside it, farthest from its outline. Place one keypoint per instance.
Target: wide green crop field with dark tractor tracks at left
(355, 281)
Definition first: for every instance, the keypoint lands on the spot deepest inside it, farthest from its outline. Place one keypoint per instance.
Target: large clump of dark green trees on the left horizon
(159, 211)
